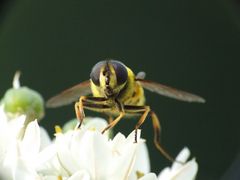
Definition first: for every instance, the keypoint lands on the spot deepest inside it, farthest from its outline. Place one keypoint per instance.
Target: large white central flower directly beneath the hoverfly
(88, 154)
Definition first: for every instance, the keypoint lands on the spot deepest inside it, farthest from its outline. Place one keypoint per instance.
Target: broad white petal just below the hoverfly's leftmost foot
(92, 153)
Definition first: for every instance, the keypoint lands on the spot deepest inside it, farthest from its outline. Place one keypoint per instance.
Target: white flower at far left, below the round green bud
(19, 147)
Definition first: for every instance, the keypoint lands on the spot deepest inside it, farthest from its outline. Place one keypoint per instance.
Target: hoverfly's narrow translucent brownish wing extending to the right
(170, 92)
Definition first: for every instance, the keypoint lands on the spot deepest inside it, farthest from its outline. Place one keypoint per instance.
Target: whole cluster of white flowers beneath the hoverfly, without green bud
(27, 153)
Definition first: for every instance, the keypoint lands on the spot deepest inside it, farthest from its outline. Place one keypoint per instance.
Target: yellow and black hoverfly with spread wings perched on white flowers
(114, 89)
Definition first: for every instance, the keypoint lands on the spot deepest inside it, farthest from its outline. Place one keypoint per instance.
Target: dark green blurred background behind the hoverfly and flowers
(190, 45)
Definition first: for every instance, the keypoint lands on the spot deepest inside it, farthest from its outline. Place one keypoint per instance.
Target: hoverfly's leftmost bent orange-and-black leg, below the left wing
(90, 102)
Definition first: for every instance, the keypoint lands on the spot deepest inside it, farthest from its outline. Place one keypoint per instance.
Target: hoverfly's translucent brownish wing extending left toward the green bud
(69, 95)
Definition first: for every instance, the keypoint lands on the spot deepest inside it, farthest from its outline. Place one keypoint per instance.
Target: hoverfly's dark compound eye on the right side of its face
(121, 72)
